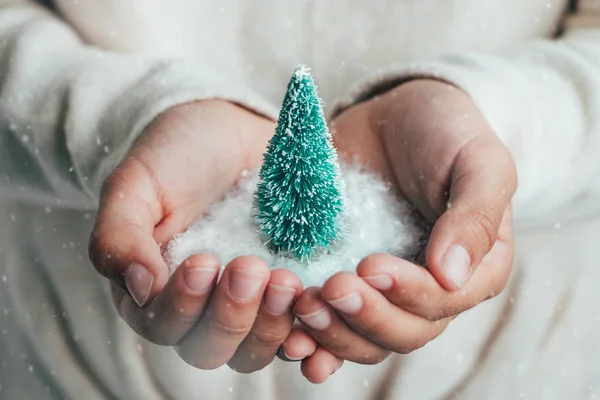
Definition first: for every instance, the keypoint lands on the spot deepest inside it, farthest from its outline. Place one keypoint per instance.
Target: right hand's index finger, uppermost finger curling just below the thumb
(414, 288)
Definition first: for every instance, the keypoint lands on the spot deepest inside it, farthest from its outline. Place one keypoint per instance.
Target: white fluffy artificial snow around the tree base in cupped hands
(375, 221)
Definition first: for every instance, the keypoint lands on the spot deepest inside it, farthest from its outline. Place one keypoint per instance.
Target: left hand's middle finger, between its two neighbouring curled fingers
(231, 312)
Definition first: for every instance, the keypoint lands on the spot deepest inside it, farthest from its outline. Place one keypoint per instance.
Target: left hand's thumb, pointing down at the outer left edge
(122, 247)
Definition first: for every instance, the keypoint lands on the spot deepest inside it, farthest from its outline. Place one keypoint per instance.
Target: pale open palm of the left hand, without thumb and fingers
(191, 157)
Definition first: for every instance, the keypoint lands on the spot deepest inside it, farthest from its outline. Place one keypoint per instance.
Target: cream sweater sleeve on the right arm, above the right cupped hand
(543, 100)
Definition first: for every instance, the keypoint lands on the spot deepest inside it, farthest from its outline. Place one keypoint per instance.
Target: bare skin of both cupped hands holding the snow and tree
(426, 138)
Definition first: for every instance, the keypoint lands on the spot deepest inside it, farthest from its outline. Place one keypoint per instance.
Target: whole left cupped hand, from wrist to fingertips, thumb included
(188, 157)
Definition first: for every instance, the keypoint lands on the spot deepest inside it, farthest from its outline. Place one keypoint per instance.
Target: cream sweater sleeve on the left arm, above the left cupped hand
(69, 112)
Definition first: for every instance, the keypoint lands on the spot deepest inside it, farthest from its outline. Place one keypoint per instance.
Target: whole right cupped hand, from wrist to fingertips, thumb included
(431, 143)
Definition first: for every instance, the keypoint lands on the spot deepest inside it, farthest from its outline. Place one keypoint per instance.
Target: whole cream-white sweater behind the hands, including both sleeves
(81, 79)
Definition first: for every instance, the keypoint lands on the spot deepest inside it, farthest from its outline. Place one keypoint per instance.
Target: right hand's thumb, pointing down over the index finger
(483, 181)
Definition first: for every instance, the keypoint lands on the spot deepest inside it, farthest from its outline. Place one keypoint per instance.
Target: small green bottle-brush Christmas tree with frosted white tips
(298, 201)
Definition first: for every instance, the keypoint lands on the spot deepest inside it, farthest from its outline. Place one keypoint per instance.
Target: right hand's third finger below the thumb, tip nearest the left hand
(331, 332)
